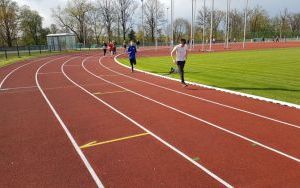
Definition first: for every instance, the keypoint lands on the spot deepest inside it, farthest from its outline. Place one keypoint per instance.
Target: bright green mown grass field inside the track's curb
(272, 73)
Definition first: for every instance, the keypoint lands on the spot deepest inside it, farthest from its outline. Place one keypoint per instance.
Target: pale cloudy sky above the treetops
(182, 7)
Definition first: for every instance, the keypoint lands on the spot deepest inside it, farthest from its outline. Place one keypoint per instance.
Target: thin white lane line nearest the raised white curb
(205, 100)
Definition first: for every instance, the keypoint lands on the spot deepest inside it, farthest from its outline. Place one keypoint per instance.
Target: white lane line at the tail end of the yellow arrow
(148, 131)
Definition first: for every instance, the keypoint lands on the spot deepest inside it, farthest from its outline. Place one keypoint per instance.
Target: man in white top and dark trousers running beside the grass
(181, 56)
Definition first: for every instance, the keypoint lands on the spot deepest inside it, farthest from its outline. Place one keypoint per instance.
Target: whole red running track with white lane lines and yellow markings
(84, 121)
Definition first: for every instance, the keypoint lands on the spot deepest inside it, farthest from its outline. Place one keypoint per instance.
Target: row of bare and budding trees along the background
(98, 20)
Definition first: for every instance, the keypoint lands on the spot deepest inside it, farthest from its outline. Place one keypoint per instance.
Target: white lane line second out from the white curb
(201, 120)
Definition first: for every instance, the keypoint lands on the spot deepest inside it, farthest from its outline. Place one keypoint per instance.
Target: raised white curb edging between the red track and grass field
(282, 103)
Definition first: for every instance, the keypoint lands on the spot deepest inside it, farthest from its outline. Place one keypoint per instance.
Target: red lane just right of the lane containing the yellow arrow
(238, 161)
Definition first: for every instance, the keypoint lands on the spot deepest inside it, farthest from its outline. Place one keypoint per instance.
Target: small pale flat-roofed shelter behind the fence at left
(61, 41)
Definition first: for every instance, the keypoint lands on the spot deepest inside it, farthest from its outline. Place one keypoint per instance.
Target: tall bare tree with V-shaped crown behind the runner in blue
(125, 9)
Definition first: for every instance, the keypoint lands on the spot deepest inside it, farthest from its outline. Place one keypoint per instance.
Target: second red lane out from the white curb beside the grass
(246, 124)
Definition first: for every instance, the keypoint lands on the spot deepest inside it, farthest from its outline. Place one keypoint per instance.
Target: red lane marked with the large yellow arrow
(138, 162)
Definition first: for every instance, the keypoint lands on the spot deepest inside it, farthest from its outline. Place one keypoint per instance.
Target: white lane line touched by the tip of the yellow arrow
(63, 125)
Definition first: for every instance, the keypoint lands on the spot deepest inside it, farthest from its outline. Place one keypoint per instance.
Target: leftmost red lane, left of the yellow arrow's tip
(34, 149)
